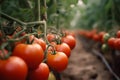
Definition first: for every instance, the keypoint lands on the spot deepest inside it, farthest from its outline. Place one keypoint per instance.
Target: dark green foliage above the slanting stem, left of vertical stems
(18, 9)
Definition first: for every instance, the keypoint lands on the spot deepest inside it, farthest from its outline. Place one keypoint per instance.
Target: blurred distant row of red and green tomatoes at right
(107, 39)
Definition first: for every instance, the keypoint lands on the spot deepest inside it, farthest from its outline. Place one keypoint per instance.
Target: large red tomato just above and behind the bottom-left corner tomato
(31, 53)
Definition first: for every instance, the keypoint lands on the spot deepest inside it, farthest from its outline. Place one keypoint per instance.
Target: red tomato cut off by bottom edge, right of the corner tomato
(40, 73)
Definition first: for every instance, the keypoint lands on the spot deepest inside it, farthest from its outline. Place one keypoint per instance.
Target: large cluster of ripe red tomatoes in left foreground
(35, 60)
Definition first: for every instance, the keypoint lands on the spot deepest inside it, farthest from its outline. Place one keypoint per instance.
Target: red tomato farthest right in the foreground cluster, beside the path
(70, 40)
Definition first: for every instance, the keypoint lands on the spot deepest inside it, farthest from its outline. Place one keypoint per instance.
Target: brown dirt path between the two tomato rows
(83, 65)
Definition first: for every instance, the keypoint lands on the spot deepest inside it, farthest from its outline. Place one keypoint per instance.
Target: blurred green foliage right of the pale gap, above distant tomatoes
(104, 13)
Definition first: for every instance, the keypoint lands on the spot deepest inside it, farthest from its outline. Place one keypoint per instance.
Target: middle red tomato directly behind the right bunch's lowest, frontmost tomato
(63, 47)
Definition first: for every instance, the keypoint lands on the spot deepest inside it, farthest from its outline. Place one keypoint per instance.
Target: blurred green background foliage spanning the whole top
(86, 14)
